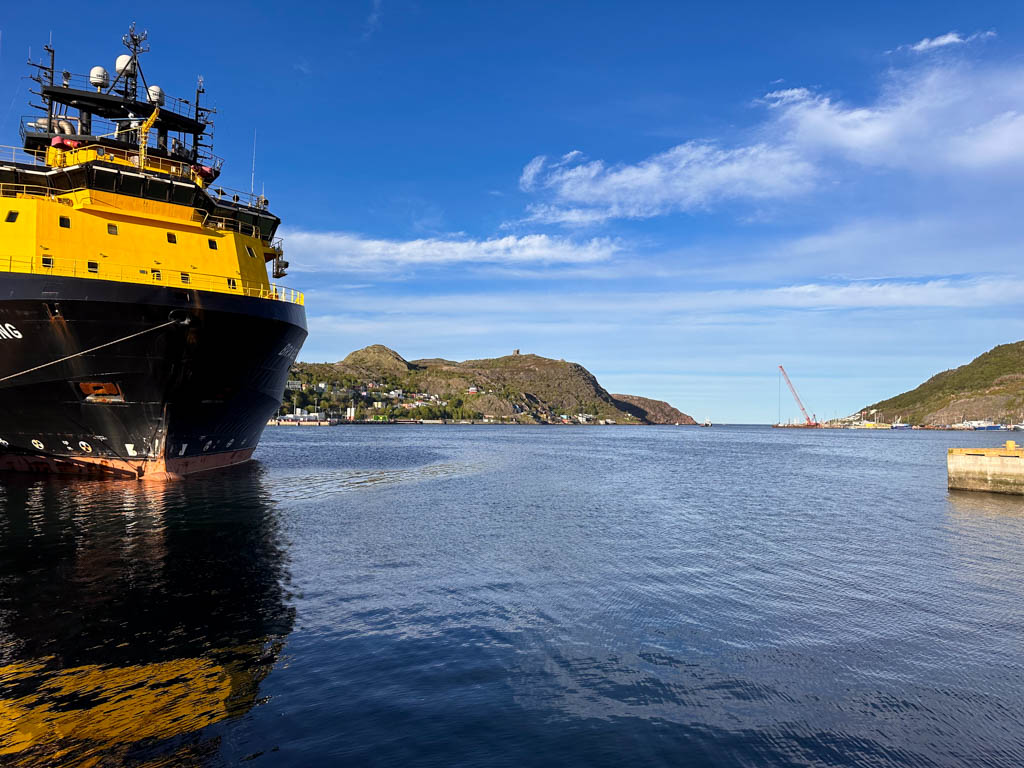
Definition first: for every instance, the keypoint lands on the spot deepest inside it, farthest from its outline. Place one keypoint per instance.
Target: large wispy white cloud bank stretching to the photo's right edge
(941, 119)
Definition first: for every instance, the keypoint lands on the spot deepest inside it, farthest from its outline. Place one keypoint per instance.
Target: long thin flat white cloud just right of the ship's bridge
(350, 252)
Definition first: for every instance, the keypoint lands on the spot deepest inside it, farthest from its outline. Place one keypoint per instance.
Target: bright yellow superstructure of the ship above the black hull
(93, 234)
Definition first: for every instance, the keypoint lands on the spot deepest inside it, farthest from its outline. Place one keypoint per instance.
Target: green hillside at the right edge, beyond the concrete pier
(992, 387)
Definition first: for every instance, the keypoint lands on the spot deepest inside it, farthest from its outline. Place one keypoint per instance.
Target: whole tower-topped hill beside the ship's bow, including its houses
(518, 388)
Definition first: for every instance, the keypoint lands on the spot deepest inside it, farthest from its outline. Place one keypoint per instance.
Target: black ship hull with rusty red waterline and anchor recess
(144, 381)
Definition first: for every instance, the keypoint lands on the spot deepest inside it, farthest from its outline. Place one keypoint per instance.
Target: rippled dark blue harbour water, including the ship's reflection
(520, 596)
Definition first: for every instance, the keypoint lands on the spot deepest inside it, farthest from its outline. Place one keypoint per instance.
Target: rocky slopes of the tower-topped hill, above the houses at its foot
(525, 388)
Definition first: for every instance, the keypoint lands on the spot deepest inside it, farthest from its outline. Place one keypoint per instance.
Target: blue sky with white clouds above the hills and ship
(679, 198)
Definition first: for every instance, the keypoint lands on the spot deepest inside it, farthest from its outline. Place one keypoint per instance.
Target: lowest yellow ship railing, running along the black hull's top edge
(101, 269)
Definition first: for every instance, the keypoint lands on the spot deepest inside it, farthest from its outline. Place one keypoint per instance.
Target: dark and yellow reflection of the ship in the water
(134, 616)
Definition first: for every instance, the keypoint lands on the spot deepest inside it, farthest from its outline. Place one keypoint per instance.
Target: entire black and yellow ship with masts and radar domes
(141, 333)
